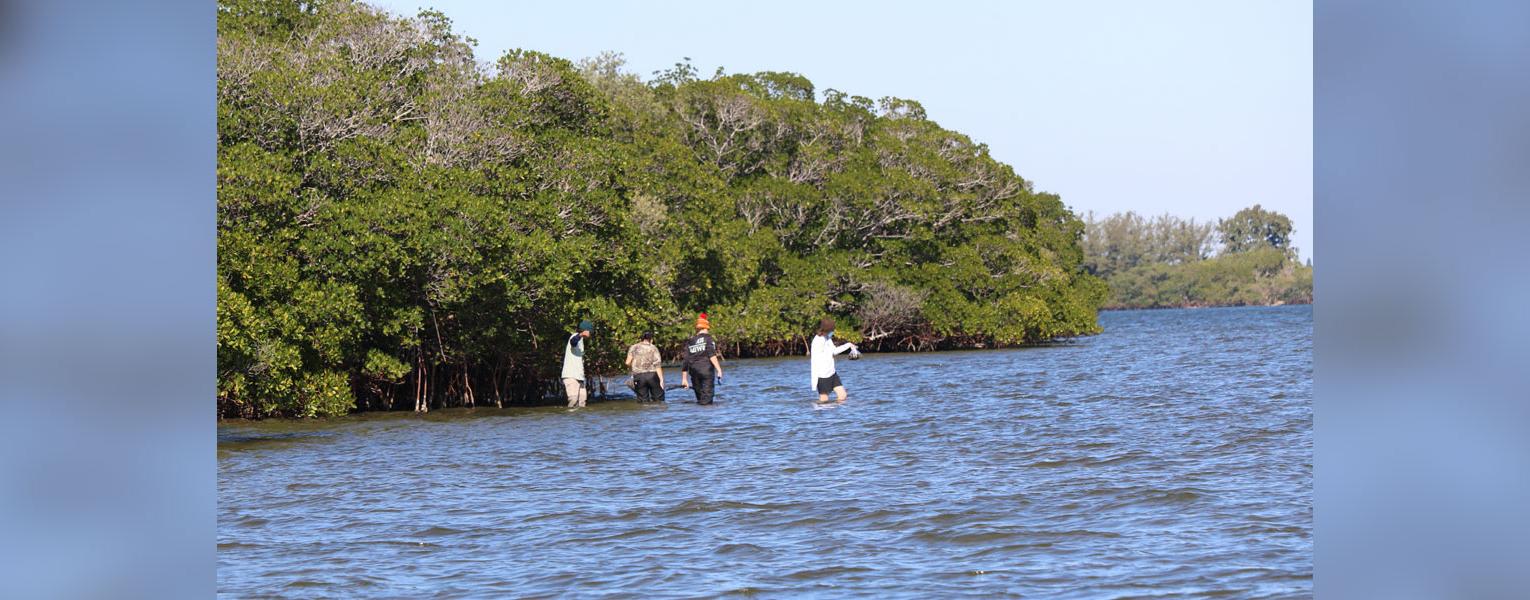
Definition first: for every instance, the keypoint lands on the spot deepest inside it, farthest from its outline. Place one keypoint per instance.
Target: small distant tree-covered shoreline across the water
(1171, 262)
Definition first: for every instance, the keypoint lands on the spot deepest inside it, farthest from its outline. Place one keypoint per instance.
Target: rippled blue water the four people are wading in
(1171, 455)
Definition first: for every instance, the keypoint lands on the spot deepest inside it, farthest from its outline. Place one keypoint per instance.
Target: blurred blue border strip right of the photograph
(1422, 362)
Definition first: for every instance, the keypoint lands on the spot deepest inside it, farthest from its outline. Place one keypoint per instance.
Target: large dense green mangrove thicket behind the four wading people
(402, 226)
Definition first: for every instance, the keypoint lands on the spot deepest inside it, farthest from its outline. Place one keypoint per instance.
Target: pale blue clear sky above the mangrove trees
(1188, 108)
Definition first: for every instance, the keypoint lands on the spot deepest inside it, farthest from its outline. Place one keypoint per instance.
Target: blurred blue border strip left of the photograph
(108, 146)
